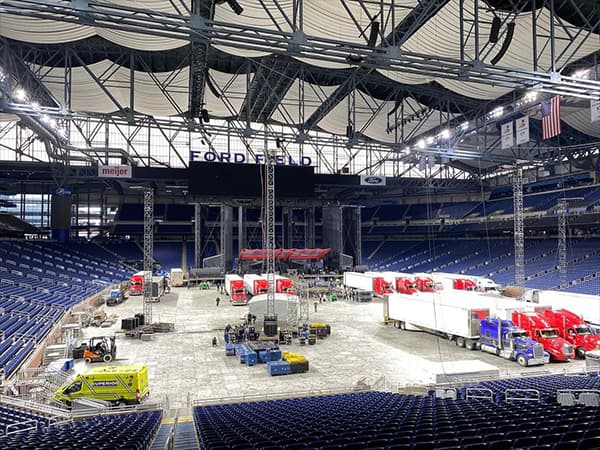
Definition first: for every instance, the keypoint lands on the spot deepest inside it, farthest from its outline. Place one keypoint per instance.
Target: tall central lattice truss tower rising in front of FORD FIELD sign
(270, 228)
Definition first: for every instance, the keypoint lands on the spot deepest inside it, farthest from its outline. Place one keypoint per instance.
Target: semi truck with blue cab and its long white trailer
(468, 323)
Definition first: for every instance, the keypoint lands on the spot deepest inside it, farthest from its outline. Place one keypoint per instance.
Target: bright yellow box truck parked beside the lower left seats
(120, 385)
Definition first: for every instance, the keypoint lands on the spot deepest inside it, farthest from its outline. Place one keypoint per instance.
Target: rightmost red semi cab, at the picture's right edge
(574, 330)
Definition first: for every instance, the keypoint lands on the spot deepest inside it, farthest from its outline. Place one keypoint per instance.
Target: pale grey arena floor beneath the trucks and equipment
(183, 365)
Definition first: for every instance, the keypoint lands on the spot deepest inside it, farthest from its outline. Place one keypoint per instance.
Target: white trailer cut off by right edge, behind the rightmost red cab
(586, 306)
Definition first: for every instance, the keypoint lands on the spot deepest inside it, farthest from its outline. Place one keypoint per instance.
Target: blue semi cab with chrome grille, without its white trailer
(515, 344)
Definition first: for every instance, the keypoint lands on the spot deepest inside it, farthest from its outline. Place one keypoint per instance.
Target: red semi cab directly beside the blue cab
(538, 328)
